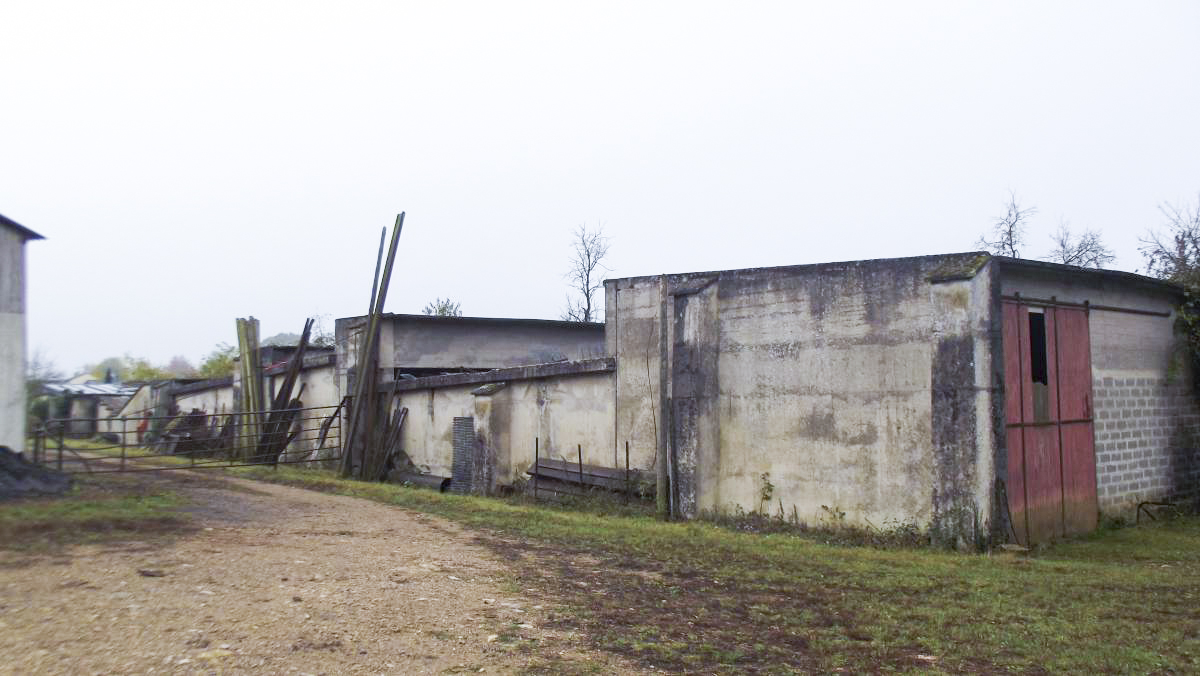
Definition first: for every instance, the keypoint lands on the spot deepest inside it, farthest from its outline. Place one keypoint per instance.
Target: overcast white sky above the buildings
(194, 163)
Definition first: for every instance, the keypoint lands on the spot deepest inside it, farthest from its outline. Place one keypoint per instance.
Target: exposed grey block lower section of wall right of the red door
(1147, 434)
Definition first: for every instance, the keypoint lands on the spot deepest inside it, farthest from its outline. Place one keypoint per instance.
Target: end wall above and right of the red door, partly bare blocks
(1148, 420)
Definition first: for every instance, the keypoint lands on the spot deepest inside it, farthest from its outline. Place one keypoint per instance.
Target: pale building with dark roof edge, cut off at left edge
(13, 332)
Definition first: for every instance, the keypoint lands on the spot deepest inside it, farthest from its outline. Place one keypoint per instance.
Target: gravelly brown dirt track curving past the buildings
(280, 581)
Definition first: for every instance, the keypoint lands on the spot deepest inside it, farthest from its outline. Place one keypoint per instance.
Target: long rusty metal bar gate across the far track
(290, 436)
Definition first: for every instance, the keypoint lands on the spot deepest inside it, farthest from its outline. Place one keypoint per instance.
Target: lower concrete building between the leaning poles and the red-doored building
(515, 380)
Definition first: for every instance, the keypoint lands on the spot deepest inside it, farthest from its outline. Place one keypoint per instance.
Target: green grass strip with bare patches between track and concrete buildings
(697, 597)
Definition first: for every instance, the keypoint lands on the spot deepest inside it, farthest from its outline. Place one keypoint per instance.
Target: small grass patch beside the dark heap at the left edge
(97, 509)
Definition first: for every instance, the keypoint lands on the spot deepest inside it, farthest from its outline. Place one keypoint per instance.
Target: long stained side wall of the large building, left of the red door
(824, 381)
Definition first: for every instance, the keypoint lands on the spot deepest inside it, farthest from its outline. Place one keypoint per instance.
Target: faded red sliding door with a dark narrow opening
(1048, 393)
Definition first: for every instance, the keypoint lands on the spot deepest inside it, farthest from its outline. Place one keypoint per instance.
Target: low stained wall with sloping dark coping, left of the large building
(562, 412)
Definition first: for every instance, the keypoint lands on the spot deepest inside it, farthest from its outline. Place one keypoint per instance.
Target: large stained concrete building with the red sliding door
(985, 399)
